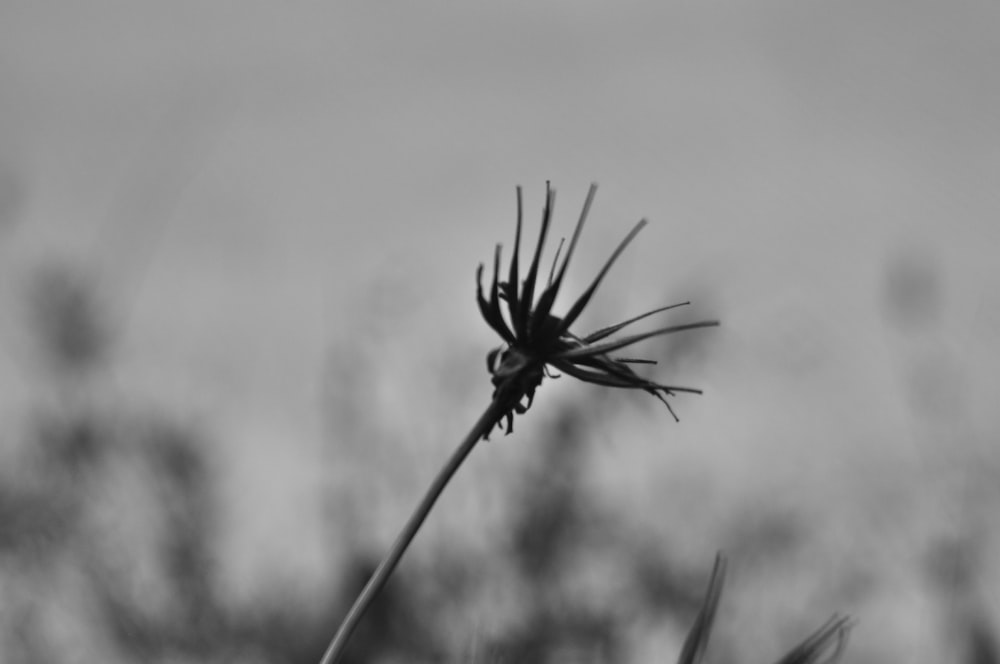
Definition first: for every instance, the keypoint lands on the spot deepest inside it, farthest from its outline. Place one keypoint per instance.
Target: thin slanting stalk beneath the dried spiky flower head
(381, 575)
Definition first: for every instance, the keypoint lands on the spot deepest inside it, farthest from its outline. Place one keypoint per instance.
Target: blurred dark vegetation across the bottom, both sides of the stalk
(111, 523)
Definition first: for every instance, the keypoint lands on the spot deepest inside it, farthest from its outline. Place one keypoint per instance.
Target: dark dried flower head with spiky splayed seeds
(534, 338)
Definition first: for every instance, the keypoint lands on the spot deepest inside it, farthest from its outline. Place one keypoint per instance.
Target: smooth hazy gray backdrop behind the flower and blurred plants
(280, 208)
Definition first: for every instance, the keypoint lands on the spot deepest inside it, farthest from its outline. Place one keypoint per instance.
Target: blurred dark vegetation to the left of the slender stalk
(110, 518)
